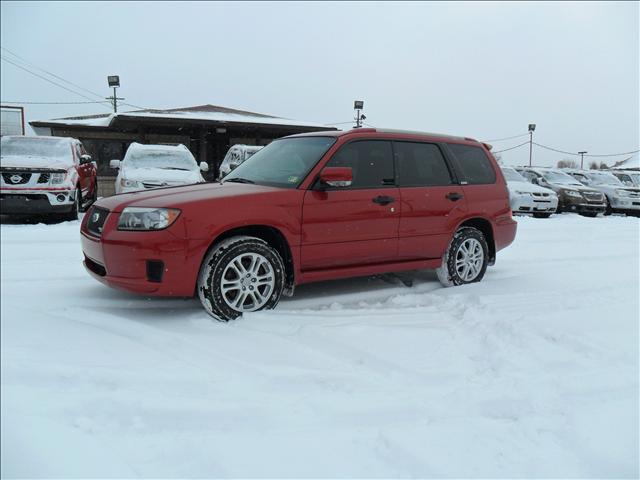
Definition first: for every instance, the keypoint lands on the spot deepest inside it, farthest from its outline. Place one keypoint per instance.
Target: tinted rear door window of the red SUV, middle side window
(420, 165)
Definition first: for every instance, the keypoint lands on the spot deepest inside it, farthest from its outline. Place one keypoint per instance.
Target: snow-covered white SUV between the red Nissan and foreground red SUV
(154, 166)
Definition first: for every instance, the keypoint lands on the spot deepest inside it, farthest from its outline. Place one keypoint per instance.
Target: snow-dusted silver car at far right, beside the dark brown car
(620, 198)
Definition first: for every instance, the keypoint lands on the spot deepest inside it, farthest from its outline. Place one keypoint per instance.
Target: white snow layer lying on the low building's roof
(205, 113)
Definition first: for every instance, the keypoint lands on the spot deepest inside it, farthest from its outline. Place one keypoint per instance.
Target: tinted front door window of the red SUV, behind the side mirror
(371, 162)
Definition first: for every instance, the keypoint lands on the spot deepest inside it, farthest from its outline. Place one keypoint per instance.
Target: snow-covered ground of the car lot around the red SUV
(531, 373)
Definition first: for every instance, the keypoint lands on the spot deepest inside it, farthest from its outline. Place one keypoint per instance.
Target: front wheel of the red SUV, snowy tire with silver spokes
(218, 262)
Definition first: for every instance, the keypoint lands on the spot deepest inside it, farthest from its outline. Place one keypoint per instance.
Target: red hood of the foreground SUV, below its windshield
(176, 196)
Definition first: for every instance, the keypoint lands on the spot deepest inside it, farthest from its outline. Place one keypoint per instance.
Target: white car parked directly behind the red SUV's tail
(526, 197)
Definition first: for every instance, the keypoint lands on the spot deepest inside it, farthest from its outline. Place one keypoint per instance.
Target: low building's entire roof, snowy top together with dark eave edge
(197, 115)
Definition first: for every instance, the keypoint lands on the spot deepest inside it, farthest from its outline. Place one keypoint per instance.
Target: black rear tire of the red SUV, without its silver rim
(447, 273)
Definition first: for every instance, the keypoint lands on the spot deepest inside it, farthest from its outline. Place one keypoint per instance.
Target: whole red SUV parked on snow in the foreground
(306, 208)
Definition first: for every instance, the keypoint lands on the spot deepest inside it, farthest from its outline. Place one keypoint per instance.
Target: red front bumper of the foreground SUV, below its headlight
(122, 259)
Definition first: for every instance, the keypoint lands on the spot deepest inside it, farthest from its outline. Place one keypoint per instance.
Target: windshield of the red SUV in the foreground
(282, 163)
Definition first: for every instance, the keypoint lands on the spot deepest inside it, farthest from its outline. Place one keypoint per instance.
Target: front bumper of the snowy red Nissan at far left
(36, 202)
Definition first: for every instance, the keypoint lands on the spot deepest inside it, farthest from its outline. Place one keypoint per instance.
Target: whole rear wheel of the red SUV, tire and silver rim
(466, 259)
